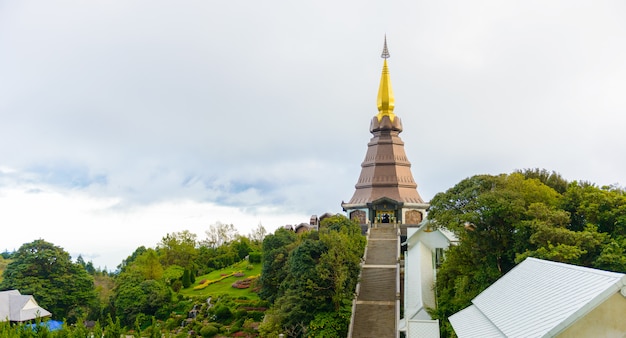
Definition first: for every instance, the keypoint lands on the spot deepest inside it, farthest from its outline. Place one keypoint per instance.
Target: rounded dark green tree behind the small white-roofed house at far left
(47, 272)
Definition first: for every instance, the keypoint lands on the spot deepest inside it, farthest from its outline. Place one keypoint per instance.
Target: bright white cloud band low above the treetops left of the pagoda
(101, 231)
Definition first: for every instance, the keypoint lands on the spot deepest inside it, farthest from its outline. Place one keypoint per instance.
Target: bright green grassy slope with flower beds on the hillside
(224, 286)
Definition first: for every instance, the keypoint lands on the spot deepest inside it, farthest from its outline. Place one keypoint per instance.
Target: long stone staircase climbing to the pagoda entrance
(374, 313)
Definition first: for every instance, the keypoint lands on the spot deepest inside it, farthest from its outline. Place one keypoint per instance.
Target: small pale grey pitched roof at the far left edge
(16, 307)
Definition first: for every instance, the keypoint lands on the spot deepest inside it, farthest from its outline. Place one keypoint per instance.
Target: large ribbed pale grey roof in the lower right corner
(537, 298)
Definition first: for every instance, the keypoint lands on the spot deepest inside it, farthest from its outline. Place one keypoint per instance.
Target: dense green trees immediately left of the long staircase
(309, 274)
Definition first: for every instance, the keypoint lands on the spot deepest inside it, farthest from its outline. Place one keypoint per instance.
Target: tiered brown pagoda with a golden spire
(386, 191)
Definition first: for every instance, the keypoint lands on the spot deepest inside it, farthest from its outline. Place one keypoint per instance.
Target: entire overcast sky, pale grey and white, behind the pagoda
(122, 121)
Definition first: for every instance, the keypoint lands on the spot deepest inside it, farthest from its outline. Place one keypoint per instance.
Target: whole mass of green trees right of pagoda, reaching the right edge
(501, 220)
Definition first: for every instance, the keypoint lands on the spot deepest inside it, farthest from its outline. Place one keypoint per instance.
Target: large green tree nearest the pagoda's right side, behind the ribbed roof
(490, 216)
